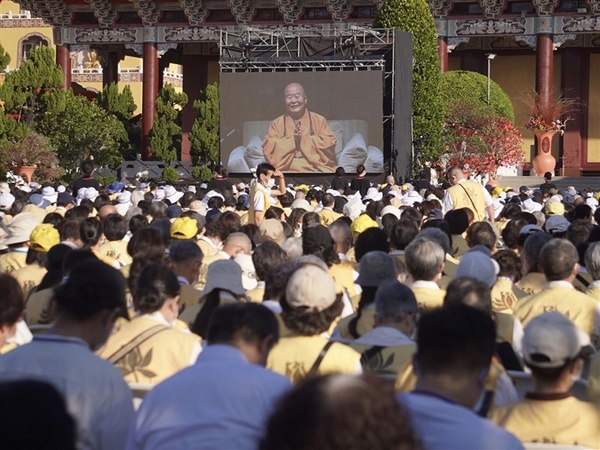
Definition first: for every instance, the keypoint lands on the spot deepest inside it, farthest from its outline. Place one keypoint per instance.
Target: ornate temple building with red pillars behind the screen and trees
(549, 46)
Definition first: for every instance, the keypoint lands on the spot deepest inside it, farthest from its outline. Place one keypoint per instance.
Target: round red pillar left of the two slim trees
(149, 94)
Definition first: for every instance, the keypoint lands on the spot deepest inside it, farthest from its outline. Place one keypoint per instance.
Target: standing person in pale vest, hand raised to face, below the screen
(262, 190)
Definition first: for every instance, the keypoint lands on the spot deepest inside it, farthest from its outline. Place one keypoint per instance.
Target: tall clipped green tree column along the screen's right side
(414, 16)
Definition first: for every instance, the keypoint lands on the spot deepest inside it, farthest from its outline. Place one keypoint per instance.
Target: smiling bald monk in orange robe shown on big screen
(300, 140)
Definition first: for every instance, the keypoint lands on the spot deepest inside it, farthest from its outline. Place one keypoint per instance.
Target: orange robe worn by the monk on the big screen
(315, 152)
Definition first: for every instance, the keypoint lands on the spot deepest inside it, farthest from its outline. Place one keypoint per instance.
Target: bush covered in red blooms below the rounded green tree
(481, 141)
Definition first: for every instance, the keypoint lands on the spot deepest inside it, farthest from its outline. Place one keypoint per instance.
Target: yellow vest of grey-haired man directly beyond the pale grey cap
(578, 307)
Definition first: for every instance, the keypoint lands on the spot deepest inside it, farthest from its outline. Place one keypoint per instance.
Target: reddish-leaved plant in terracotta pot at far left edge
(32, 155)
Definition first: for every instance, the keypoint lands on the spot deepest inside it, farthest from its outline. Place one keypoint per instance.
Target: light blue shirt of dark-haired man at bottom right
(443, 424)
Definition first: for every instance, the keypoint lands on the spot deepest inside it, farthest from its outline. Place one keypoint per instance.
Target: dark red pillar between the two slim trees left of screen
(195, 79)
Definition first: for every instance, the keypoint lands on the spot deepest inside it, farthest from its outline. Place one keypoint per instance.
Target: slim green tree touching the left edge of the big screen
(204, 136)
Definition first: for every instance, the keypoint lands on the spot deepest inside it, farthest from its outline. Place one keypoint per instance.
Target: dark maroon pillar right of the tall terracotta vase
(575, 84)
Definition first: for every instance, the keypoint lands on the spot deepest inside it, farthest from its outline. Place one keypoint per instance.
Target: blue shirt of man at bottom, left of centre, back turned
(221, 402)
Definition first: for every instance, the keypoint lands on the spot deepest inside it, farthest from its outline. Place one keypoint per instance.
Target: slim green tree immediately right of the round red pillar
(165, 136)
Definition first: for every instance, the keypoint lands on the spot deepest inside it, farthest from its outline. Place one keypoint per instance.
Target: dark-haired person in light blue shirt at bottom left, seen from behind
(95, 393)
